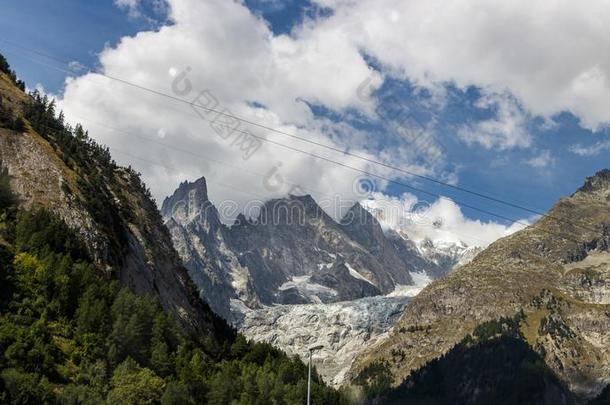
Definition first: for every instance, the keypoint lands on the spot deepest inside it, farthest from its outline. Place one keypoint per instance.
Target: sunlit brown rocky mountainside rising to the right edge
(555, 271)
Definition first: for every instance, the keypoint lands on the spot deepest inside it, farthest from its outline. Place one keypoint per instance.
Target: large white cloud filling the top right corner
(548, 54)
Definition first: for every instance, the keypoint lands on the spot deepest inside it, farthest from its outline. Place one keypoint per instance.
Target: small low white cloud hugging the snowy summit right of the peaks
(440, 221)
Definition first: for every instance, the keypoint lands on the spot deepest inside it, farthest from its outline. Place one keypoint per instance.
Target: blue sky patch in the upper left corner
(67, 29)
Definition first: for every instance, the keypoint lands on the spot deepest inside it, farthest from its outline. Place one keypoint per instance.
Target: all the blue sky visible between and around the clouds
(78, 30)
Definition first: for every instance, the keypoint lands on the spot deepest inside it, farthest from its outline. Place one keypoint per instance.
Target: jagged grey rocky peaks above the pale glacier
(292, 253)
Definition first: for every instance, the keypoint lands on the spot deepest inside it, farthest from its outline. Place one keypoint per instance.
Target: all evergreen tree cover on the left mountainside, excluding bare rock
(72, 328)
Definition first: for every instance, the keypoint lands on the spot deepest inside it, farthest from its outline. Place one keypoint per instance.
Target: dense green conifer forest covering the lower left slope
(67, 334)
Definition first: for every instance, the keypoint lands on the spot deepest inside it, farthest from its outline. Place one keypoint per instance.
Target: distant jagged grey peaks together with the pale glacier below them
(294, 277)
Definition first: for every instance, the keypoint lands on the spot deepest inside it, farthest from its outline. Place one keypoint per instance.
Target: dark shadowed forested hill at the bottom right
(493, 366)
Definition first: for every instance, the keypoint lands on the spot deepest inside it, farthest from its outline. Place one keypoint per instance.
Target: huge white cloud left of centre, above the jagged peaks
(232, 53)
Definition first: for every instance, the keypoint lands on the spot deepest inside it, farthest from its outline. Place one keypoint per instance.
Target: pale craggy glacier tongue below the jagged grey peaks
(343, 328)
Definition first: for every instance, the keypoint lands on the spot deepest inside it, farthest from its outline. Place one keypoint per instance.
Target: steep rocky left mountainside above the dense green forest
(107, 205)
